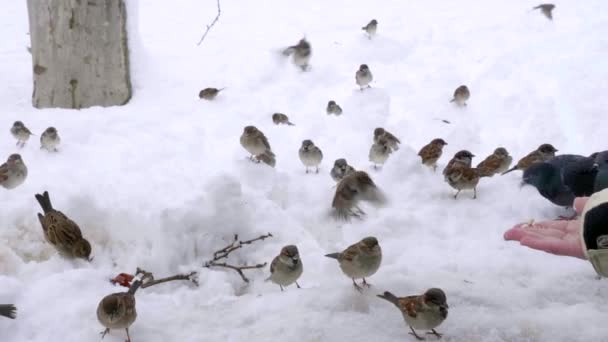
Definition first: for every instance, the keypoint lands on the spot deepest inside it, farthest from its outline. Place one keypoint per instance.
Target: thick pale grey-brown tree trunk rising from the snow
(79, 53)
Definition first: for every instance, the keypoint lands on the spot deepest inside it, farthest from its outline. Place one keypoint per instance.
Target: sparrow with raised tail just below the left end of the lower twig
(117, 310)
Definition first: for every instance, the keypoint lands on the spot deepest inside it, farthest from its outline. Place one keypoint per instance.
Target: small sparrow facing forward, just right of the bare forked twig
(286, 267)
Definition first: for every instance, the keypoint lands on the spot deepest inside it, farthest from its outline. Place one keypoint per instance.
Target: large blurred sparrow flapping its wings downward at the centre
(353, 188)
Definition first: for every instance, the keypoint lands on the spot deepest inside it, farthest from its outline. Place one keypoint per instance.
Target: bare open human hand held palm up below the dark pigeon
(561, 237)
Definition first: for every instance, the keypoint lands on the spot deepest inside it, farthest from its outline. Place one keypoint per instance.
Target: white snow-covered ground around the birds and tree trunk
(162, 182)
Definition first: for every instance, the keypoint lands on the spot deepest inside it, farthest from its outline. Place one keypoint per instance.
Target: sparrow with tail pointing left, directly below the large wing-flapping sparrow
(360, 260)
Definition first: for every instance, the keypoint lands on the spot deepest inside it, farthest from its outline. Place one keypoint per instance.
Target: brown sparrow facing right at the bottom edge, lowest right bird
(423, 312)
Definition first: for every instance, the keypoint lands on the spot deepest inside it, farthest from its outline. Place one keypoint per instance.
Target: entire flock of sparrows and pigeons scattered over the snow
(557, 178)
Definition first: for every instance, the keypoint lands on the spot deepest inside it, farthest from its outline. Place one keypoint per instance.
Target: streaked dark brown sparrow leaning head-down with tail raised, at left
(62, 232)
